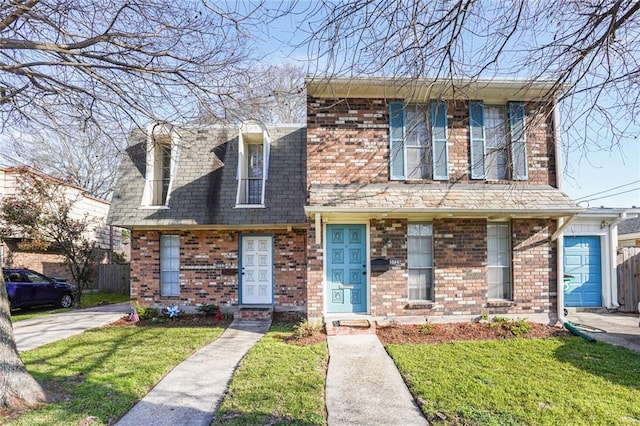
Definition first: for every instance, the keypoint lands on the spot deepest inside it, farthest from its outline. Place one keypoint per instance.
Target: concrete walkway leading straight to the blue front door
(364, 386)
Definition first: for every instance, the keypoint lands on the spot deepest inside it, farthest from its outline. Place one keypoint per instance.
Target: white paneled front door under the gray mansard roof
(257, 270)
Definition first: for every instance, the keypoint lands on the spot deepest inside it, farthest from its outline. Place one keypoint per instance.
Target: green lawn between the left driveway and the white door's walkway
(105, 371)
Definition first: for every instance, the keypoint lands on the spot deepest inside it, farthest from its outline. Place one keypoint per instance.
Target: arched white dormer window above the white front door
(253, 164)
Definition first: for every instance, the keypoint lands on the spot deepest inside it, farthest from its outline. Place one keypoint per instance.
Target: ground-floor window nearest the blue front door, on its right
(420, 261)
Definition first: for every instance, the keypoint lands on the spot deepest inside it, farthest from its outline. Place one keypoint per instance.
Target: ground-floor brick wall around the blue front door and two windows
(460, 259)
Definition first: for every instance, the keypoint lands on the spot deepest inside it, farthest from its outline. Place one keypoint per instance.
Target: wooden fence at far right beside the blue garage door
(629, 278)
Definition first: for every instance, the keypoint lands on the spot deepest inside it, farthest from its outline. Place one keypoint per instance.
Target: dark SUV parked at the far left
(29, 288)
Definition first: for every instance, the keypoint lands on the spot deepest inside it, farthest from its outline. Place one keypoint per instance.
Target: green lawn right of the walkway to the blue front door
(555, 381)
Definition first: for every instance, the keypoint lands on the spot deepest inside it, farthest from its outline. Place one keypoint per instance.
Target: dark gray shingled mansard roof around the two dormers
(204, 188)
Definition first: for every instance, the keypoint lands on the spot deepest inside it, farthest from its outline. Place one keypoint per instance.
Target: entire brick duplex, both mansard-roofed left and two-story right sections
(398, 200)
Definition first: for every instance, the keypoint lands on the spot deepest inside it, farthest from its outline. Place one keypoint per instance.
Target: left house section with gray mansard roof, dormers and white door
(216, 215)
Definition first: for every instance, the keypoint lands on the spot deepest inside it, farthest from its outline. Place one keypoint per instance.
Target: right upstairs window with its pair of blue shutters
(498, 144)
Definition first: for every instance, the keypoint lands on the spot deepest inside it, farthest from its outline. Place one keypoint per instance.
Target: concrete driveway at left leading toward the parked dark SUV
(36, 332)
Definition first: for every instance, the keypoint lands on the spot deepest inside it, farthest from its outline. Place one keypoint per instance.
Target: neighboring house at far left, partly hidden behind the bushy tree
(13, 253)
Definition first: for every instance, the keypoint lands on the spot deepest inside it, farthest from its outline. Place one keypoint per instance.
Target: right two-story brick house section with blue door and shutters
(425, 204)
